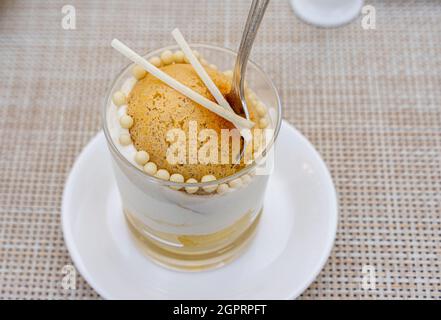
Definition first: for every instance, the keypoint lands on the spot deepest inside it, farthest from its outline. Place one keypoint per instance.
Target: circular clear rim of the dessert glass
(168, 183)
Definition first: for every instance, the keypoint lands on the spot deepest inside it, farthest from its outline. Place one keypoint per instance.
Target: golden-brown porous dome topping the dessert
(157, 108)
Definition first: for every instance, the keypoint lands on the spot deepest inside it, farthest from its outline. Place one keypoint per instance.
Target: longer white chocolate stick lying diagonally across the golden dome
(196, 97)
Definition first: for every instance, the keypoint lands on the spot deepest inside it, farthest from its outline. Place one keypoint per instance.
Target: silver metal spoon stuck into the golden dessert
(236, 97)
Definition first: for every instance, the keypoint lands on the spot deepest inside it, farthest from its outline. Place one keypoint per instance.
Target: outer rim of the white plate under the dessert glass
(76, 258)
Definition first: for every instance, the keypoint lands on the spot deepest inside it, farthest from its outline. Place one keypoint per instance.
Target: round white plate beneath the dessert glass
(292, 244)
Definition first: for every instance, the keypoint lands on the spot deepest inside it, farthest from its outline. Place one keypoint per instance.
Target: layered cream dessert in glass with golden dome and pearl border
(190, 185)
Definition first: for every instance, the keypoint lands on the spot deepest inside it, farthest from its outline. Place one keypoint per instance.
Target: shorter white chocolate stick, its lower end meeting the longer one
(214, 90)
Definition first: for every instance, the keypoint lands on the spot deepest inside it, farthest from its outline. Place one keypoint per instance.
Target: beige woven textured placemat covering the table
(370, 101)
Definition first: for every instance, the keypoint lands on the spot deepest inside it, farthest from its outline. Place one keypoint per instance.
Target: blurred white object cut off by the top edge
(327, 13)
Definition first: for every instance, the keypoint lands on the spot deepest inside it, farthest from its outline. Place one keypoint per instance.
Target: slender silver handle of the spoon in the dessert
(255, 15)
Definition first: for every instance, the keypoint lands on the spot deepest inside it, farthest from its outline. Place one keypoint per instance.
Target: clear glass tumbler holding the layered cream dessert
(192, 231)
